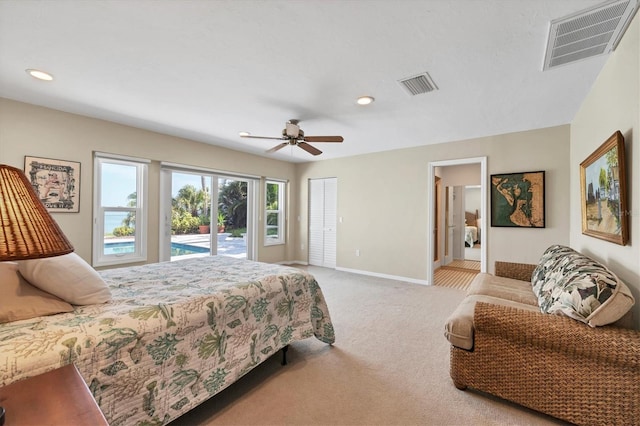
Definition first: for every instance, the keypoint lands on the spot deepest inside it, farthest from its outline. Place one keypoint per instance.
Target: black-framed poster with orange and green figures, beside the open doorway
(517, 200)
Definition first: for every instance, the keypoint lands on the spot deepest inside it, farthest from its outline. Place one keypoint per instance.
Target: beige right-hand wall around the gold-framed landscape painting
(612, 104)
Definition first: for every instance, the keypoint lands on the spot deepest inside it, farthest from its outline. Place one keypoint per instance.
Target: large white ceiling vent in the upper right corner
(591, 32)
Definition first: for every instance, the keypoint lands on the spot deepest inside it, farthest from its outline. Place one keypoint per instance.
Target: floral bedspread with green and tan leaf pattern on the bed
(175, 334)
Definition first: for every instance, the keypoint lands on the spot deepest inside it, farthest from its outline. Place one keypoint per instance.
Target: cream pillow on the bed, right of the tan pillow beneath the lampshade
(69, 277)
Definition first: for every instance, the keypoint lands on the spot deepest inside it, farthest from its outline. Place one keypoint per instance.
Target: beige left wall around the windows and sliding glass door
(31, 130)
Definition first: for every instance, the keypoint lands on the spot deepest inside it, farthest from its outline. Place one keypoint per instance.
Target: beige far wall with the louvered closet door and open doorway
(382, 199)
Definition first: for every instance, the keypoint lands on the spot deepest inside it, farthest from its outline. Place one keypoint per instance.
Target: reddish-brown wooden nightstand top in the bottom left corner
(58, 397)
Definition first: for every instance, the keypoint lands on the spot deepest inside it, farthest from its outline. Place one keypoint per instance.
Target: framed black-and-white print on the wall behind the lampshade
(57, 183)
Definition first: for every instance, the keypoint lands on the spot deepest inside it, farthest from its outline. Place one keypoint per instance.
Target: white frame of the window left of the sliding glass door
(140, 246)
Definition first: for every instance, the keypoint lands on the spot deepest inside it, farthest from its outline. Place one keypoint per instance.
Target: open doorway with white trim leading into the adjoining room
(452, 224)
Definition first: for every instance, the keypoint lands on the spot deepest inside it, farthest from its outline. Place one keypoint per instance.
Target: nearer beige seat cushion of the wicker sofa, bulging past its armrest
(459, 326)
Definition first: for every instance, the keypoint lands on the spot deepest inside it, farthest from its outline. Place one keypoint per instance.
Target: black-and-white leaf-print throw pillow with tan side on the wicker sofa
(569, 283)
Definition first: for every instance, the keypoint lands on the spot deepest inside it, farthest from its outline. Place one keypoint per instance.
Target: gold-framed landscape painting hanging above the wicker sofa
(603, 189)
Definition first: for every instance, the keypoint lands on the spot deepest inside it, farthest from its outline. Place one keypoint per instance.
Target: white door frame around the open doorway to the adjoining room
(431, 209)
